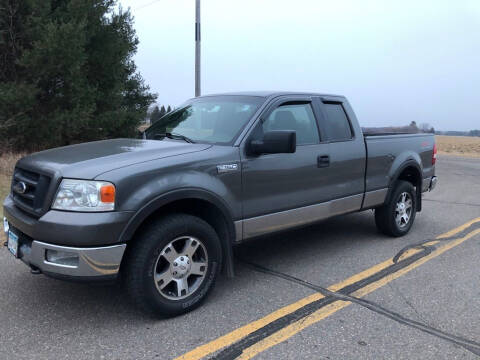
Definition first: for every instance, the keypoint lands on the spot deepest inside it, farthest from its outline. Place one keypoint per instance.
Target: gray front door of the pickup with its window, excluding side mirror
(280, 189)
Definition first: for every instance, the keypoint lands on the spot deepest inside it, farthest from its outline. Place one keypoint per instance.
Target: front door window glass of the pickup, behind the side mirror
(296, 116)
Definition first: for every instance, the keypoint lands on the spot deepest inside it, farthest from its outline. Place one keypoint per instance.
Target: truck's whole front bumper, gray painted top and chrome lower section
(75, 246)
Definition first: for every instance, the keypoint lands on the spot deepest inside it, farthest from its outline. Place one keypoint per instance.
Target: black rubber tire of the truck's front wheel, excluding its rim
(143, 258)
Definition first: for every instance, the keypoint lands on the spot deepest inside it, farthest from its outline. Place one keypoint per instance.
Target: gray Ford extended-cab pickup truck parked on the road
(165, 211)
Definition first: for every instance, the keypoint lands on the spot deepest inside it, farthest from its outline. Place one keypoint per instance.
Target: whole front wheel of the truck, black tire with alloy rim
(173, 265)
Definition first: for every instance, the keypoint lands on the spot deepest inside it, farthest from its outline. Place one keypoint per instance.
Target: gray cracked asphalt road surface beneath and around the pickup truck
(426, 310)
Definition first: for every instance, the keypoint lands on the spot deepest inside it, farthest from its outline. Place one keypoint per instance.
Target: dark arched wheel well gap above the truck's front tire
(207, 212)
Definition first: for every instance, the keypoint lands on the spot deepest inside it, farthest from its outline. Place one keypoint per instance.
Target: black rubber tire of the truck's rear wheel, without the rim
(385, 216)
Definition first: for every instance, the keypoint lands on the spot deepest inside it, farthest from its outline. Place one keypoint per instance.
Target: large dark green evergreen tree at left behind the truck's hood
(67, 73)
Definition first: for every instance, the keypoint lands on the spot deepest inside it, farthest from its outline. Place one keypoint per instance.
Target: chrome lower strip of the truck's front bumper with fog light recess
(93, 263)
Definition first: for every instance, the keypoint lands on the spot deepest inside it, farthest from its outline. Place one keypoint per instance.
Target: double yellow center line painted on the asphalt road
(328, 309)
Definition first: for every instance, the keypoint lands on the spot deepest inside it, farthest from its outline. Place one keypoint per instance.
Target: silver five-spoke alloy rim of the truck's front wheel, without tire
(181, 268)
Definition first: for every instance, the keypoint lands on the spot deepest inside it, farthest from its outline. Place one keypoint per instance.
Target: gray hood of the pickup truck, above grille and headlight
(88, 160)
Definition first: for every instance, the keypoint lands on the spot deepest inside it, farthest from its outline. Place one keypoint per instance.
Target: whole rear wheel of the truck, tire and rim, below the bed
(396, 217)
